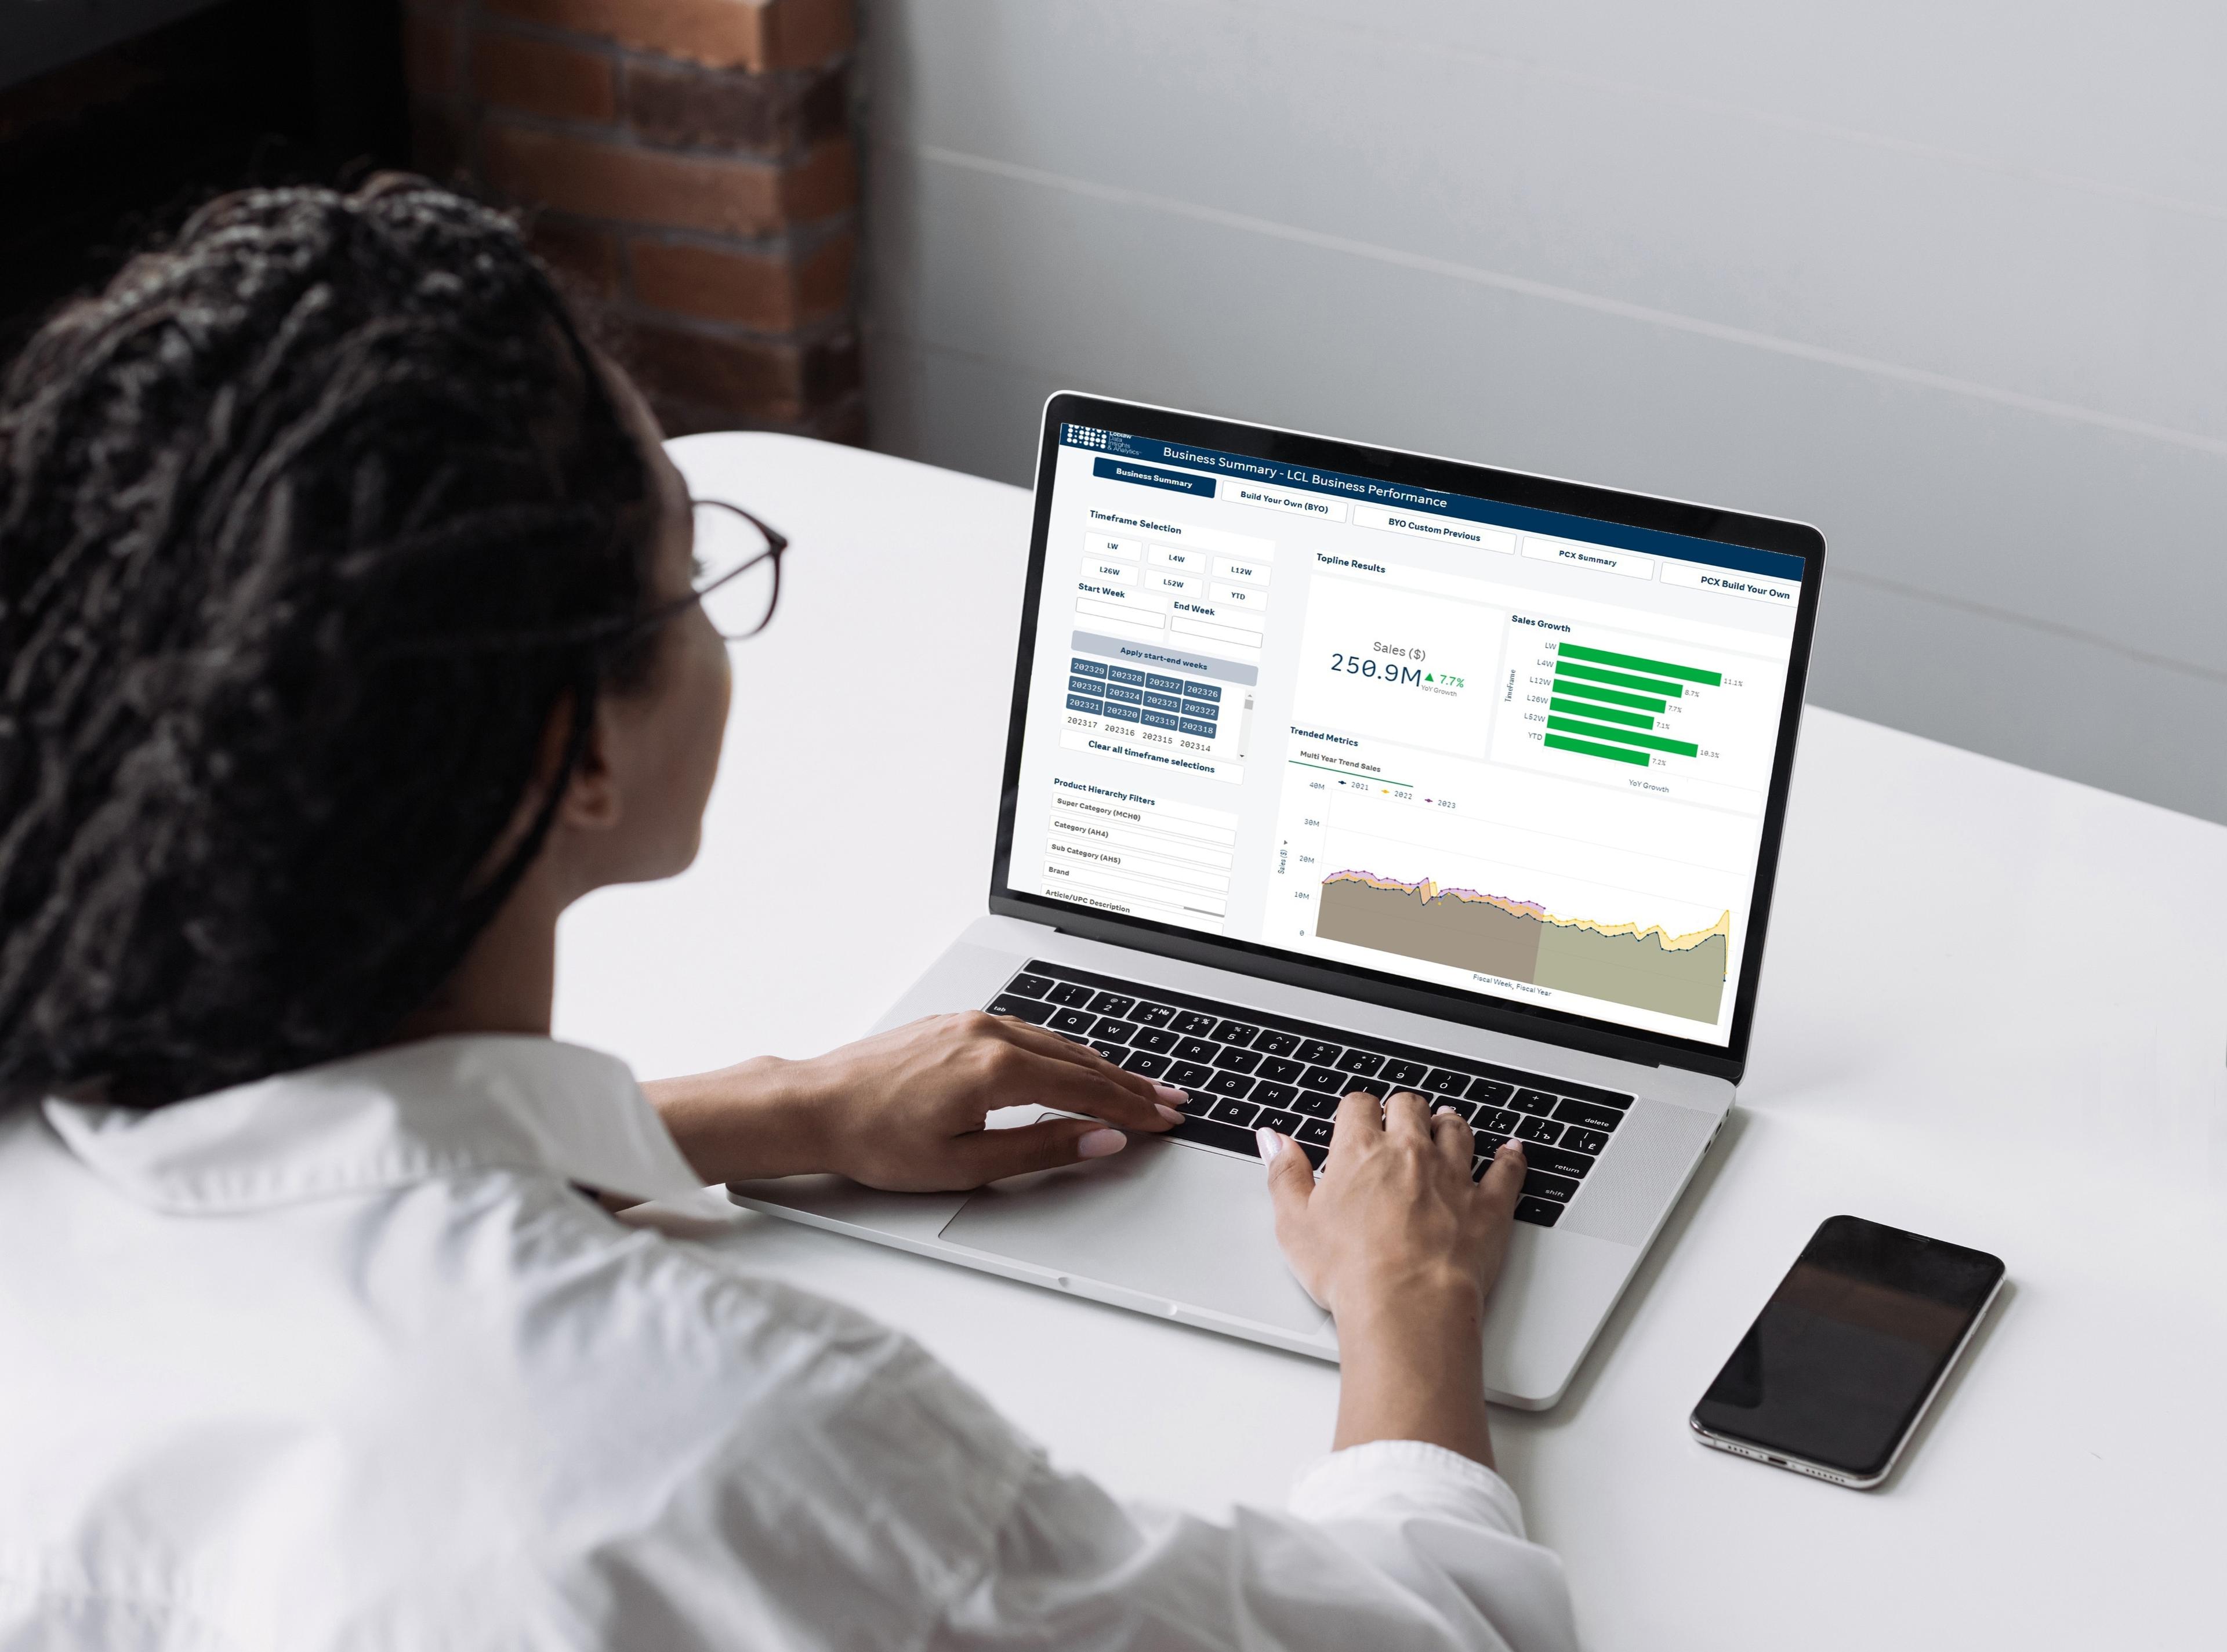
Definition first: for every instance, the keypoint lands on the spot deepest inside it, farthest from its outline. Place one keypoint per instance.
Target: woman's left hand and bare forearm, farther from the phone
(905, 1110)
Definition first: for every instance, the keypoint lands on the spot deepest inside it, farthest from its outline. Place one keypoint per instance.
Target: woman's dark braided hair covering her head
(308, 531)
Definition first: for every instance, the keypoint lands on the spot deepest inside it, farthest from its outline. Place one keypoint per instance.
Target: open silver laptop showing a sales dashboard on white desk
(1337, 767)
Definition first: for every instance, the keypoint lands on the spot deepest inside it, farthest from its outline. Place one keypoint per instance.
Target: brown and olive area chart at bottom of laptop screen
(1524, 943)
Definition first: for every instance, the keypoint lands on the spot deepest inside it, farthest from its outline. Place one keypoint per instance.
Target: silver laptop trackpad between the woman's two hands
(1161, 1219)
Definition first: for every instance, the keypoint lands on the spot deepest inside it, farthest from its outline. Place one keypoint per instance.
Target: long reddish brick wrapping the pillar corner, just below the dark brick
(651, 188)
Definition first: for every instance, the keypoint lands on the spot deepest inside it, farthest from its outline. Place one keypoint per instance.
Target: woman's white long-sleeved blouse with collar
(346, 1359)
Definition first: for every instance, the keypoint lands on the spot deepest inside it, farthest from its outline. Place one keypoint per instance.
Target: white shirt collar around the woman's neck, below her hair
(395, 1117)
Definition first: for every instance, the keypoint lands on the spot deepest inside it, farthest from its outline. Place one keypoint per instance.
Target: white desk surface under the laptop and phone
(1997, 1012)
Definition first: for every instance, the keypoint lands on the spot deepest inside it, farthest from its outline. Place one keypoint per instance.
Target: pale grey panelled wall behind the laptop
(1945, 279)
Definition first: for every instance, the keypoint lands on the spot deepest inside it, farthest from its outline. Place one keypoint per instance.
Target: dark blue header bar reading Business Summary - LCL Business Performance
(1117, 446)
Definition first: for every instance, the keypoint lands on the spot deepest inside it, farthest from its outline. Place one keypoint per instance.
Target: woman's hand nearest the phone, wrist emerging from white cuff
(1402, 1248)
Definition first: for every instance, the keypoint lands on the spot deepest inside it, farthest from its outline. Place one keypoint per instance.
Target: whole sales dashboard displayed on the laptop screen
(1471, 745)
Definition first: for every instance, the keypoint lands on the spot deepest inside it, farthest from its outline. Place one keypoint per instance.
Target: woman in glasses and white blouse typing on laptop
(351, 631)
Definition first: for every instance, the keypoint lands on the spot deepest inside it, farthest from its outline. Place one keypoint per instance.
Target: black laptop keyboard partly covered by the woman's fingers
(1244, 1070)
